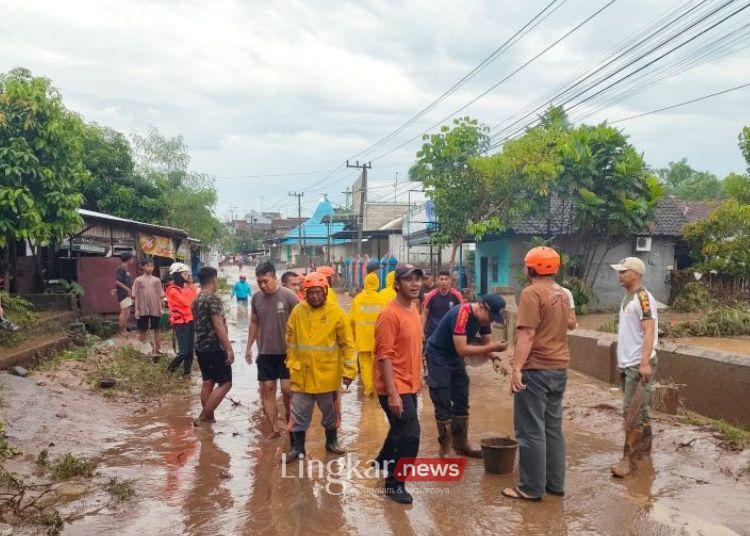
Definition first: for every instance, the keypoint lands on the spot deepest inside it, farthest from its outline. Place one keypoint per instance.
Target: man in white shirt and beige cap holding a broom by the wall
(637, 336)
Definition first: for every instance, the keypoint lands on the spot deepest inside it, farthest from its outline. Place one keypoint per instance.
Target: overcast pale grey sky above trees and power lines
(297, 87)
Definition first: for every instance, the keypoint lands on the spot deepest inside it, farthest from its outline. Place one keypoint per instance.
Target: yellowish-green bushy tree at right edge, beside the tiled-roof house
(721, 242)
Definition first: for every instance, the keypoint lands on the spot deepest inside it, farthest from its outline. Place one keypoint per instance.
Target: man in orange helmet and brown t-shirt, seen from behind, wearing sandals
(540, 361)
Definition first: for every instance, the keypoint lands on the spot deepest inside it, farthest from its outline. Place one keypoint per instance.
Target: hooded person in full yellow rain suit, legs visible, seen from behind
(366, 307)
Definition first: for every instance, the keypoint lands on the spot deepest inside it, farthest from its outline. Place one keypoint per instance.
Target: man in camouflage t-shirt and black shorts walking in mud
(212, 346)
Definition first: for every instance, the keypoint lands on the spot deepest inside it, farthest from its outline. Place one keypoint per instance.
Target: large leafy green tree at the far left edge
(41, 164)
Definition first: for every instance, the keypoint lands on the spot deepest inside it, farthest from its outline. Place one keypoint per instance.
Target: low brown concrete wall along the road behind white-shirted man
(713, 383)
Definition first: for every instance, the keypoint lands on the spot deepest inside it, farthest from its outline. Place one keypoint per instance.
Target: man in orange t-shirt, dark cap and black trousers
(398, 375)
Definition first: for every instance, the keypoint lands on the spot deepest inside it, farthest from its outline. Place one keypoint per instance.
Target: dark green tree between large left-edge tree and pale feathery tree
(114, 186)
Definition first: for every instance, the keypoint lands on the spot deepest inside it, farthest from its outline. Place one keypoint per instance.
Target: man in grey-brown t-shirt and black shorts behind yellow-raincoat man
(271, 308)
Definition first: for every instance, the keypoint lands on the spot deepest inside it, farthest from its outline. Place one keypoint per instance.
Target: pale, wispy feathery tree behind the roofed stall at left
(189, 197)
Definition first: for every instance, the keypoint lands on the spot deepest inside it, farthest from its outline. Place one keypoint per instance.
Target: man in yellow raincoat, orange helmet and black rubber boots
(320, 354)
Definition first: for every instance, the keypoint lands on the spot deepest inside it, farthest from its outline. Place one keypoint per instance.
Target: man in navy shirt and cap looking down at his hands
(453, 340)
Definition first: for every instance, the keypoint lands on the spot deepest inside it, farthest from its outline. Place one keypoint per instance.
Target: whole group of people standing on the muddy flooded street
(308, 347)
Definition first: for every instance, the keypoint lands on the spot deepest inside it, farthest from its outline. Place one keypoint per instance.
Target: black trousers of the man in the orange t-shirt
(402, 440)
